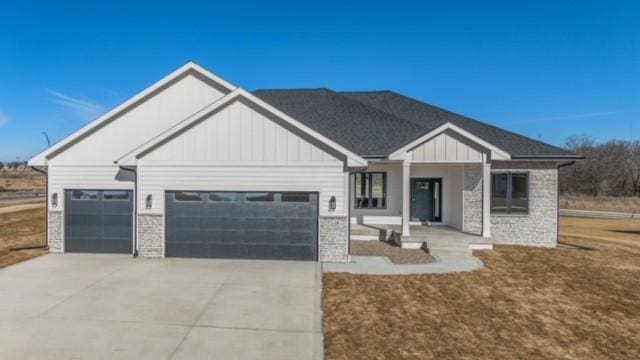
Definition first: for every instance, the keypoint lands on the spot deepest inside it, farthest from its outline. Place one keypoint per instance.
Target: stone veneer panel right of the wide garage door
(333, 239)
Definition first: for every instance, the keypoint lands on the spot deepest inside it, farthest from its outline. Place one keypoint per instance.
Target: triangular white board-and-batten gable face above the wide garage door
(238, 132)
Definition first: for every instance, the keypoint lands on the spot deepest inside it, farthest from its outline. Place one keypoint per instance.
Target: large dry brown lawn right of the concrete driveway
(578, 301)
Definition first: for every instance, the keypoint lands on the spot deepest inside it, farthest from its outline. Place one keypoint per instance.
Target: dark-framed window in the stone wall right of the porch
(509, 193)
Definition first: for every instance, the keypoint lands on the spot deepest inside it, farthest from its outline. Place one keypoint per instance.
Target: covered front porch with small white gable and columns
(437, 189)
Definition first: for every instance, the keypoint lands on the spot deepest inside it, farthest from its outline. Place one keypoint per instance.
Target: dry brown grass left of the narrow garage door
(19, 229)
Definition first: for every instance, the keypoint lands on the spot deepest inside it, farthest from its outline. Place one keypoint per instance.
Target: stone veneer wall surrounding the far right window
(540, 226)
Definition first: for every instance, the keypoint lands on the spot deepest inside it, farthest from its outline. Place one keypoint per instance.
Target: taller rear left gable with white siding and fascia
(166, 102)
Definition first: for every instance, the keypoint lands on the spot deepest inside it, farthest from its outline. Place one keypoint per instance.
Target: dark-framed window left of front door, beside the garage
(371, 190)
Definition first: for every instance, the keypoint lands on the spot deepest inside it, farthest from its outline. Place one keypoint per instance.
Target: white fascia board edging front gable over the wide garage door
(131, 157)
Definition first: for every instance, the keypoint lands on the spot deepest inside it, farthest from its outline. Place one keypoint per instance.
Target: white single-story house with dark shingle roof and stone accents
(194, 166)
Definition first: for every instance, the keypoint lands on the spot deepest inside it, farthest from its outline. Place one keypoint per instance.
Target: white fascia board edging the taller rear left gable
(42, 158)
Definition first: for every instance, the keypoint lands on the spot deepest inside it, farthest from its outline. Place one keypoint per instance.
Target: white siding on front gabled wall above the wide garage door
(239, 149)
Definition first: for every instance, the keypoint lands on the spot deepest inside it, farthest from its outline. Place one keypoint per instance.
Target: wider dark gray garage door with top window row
(242, 225)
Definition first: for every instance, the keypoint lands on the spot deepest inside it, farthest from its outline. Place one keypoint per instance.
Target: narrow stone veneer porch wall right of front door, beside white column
(472, 199)
